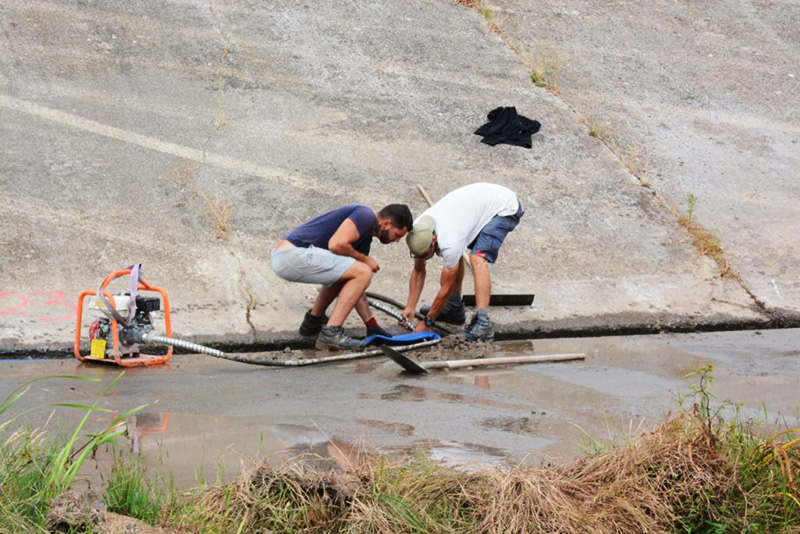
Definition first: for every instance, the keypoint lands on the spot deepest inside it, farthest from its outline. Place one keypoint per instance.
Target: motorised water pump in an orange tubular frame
(122, 321)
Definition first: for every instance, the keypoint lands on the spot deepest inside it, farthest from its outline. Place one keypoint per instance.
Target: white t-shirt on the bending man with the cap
(461, 215)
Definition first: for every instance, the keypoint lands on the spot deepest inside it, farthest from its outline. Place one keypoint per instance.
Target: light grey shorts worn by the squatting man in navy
(310, 265)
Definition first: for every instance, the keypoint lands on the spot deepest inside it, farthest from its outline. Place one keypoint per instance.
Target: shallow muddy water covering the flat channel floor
(207, 418)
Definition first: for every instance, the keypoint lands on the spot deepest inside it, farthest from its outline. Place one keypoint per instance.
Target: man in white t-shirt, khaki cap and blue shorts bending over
(477, 218)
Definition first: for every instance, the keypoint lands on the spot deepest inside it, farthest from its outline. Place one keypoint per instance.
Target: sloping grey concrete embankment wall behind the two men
(188, 136)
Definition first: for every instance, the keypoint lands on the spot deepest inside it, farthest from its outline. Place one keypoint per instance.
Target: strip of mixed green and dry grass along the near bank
(692, 473)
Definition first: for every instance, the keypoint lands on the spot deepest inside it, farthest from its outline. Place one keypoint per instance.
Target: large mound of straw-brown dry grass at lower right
(638, 488)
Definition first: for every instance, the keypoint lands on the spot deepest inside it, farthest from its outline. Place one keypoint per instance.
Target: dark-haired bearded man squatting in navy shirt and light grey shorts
(333, 250)
